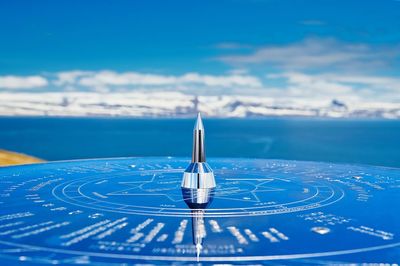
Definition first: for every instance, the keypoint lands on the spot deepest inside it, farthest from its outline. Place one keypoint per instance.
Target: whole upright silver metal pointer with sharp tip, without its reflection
(198, 175)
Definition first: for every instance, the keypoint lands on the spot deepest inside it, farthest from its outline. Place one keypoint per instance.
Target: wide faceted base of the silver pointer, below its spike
(198, 176)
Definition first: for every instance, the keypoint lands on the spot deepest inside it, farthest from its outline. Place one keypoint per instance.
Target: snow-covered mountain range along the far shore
(177, 104)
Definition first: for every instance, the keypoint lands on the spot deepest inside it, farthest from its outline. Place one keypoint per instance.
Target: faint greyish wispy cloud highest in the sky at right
(314, 53)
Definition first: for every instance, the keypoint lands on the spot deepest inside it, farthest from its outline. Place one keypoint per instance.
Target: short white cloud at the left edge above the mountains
(22, 82)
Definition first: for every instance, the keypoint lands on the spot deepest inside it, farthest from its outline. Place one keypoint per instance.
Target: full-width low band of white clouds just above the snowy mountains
(283, 86)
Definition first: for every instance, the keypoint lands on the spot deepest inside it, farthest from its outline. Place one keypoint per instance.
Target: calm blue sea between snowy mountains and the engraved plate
(375, 142)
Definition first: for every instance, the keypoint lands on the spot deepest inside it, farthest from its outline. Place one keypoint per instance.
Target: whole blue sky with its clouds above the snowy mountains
(350, 48)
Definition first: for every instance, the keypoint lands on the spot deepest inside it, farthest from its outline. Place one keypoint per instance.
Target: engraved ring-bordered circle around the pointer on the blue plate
(158, 192)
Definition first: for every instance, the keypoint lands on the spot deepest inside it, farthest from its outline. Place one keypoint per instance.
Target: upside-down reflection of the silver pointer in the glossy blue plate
(198, 200)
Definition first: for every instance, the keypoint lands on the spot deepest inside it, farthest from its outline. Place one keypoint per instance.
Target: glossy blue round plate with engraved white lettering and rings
(133, 210)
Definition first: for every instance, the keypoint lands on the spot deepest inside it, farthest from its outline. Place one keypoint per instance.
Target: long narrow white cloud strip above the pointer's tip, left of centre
(103, 79)
